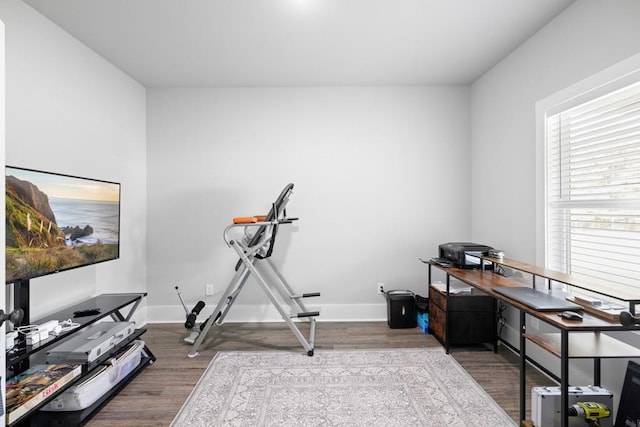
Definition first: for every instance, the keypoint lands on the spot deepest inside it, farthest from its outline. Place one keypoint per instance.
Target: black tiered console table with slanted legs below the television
(118, 307)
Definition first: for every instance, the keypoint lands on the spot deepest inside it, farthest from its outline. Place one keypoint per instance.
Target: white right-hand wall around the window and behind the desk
(585, 39)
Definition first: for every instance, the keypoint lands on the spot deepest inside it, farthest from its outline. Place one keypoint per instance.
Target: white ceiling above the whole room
(201, 43)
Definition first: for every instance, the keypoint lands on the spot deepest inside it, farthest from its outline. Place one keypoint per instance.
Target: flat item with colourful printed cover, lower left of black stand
(28, 389)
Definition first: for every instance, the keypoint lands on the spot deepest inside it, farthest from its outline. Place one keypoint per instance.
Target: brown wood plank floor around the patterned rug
(154, 397)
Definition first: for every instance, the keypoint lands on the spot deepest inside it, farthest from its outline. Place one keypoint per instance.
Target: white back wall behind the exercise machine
(381, 177)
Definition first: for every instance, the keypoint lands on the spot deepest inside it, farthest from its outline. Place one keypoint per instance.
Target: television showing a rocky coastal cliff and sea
(57, 222)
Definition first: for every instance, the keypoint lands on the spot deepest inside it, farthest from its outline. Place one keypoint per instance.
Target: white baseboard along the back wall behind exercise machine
(268, 313)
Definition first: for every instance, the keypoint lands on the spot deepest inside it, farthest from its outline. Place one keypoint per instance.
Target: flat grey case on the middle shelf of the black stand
(90, 343)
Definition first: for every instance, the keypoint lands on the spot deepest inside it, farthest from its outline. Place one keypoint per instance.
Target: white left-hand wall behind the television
(70, 111)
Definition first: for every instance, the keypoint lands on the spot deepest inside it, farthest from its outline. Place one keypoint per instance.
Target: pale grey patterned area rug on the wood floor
(405, 387)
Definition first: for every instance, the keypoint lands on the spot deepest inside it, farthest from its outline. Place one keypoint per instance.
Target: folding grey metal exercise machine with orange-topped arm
(254, 248)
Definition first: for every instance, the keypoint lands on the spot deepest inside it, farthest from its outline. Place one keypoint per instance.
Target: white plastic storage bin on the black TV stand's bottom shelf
(89, 390)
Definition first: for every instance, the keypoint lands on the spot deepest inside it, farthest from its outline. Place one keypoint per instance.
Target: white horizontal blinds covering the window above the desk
(593, 188)
